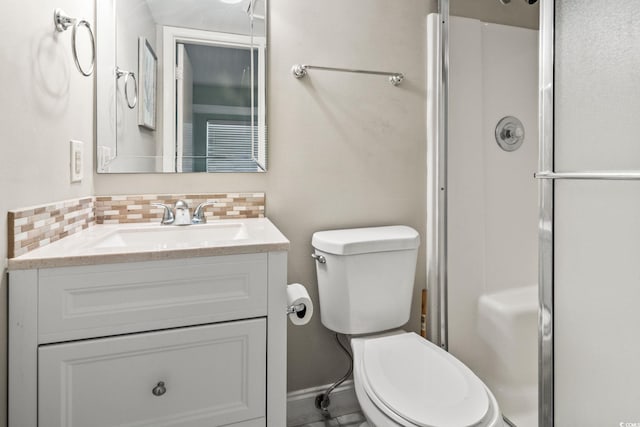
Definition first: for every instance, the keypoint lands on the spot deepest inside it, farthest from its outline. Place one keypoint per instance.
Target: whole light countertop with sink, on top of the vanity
(98, 244)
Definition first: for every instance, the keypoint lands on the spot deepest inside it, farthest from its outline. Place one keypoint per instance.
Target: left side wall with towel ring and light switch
(45, 103)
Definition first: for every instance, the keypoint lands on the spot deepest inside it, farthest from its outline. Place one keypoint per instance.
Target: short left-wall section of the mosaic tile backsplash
(35, 227)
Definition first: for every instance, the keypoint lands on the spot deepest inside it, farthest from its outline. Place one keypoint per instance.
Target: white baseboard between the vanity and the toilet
(301, 406)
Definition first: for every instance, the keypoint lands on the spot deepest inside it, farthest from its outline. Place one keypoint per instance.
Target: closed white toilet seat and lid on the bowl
(415, 383)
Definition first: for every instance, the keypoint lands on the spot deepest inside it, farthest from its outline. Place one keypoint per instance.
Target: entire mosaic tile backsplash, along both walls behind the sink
(35, 227)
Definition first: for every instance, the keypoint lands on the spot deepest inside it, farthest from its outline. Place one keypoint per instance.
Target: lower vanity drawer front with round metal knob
(213, 375)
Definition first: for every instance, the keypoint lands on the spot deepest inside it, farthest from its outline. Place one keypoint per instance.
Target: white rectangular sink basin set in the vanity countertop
(172, 237)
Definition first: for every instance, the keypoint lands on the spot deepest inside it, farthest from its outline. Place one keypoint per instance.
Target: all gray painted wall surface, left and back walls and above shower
(344, 150)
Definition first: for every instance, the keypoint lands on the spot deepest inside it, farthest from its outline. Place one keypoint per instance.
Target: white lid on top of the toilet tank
(365, 240)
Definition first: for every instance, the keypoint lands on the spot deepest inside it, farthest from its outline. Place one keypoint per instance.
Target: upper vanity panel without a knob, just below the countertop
(111, 299)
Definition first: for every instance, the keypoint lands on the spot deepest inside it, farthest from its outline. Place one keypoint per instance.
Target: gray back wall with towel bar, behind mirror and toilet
(345, 150)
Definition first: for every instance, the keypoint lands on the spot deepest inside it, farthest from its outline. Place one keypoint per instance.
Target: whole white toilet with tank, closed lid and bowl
(365, 282)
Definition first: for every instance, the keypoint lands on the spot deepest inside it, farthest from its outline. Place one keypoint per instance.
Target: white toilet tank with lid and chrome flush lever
(366, 283)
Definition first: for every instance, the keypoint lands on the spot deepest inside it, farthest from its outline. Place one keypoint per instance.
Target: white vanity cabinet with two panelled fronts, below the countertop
(196, 342)
